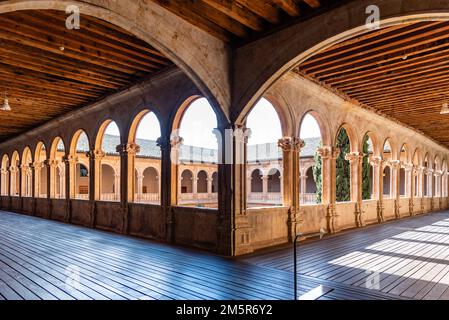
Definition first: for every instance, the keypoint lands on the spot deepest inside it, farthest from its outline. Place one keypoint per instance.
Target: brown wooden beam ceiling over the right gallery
(401, 71)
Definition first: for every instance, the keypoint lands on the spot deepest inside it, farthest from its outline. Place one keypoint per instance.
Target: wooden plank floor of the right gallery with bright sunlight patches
(408, 258)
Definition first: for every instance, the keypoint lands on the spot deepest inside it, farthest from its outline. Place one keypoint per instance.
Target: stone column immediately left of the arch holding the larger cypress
(329, 157)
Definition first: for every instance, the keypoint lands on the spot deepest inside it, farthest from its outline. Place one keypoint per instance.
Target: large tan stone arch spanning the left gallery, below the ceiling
(204, 58)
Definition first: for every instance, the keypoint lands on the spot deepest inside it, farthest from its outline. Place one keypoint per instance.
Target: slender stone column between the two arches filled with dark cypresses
(356, 159)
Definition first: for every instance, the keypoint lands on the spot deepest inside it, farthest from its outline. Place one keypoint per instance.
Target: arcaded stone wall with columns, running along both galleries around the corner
(164, 189)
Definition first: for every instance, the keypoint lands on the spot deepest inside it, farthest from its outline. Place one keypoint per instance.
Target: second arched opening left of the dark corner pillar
(144, 133)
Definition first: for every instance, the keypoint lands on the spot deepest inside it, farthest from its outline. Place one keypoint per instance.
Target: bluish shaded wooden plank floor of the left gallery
(42, 259)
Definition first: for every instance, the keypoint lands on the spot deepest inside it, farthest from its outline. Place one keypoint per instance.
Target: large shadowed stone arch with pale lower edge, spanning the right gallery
(263, 62)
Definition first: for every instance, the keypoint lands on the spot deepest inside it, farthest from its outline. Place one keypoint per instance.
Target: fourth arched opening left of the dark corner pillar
(79, 167)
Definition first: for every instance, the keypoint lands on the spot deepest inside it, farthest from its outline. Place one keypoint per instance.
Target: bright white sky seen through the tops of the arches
(199, 121)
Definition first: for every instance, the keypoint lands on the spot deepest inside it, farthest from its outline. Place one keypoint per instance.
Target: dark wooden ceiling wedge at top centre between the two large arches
(242, 20)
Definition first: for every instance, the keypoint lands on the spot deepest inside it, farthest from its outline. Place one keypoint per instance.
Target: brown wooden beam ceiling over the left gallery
(48, 70)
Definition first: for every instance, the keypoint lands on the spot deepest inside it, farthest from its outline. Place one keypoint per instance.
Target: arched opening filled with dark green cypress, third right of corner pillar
(343, 168)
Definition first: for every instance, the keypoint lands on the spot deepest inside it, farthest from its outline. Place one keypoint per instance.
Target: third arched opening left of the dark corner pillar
(109, 161)
